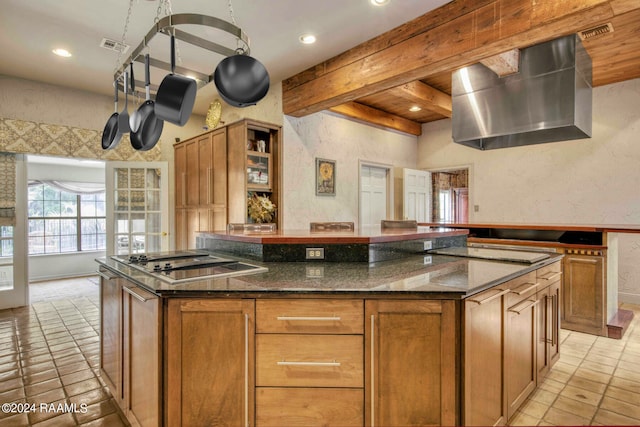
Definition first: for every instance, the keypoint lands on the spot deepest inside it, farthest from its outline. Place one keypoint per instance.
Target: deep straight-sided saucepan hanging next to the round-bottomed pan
(176, 94)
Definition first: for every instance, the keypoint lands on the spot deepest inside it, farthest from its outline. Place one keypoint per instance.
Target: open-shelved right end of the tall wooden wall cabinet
(254, 152)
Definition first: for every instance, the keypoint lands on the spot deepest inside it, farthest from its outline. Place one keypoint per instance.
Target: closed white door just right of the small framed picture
(373, 195)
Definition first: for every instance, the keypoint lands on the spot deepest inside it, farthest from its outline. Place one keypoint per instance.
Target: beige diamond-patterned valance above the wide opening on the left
(25, 137)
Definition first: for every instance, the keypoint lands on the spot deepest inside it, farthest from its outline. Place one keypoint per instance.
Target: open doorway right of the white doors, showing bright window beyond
(450, 195)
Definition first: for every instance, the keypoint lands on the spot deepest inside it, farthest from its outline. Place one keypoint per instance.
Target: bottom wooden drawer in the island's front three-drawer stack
(309, 406)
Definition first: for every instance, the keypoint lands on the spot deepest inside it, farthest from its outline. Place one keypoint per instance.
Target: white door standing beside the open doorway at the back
(416, 187)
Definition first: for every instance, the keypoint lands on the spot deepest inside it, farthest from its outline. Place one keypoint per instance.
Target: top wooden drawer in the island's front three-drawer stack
(311, 316)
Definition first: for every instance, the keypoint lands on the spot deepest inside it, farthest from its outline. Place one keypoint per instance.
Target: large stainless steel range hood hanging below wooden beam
(548, 100)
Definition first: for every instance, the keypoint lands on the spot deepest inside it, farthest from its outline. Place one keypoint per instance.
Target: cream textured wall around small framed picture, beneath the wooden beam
(328, 136)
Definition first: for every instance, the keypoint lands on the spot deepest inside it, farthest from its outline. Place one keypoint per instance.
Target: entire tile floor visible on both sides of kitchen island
(49, 353)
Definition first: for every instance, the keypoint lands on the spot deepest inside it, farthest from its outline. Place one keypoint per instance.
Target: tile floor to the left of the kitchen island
(49, 355)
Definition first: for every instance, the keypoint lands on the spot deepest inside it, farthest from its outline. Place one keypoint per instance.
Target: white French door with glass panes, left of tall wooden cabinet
(137, 207)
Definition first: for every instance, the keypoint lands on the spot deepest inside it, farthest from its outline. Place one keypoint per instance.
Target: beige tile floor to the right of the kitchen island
(596, 381)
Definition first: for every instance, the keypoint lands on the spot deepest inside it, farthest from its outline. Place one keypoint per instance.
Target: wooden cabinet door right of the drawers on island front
(410, 363)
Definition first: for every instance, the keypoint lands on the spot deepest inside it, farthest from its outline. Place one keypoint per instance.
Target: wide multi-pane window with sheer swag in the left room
(61, 221)
